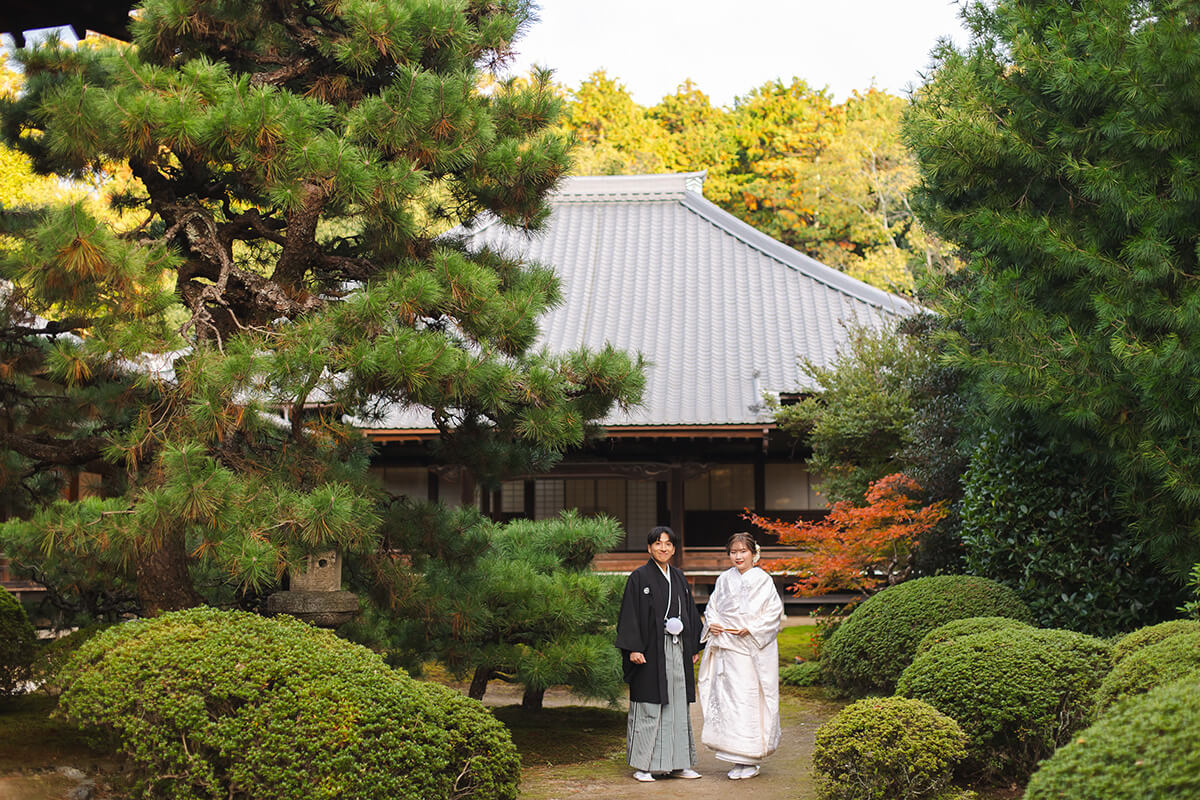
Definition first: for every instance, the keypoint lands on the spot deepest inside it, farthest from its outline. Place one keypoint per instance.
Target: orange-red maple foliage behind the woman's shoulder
(863, 549)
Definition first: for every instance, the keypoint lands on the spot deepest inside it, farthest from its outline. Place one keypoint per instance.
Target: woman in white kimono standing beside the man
(740, 672)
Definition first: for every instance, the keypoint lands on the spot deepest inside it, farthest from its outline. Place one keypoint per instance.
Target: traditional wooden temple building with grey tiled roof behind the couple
(723, 315)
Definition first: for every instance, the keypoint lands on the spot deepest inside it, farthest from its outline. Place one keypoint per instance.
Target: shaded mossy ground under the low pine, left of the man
(566, 735)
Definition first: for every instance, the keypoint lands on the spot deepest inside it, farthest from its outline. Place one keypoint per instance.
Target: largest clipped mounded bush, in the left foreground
(225, 705)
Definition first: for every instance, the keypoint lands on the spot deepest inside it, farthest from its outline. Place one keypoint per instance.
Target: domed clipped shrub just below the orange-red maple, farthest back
(869, 651)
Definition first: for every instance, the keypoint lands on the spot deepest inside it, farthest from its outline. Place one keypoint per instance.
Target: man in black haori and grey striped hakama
(658, 634)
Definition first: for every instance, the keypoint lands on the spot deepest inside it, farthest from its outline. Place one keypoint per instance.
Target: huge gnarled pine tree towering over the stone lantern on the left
(296, 165)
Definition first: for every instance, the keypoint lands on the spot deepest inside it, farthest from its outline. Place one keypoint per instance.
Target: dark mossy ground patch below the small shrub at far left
(32, 741)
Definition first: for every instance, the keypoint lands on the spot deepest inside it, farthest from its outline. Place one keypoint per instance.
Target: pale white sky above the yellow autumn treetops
(730, 47)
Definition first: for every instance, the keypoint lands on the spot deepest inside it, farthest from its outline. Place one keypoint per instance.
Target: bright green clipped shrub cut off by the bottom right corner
(1144, 749)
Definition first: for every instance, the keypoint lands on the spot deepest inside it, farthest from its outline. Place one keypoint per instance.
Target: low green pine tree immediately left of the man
(515, 603)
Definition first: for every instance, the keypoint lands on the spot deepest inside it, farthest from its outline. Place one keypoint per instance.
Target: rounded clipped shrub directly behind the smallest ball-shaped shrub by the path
(1018, 693)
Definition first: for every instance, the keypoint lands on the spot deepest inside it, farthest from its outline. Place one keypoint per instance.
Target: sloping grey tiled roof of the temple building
(721, 311)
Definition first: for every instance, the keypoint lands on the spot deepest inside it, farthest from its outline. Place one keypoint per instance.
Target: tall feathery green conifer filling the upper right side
(1059, 149)
